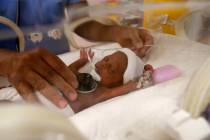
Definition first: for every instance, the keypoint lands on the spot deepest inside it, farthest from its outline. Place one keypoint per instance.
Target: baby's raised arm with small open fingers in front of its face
(74, 67)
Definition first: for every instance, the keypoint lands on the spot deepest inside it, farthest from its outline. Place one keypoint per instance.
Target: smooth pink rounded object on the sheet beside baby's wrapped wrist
(165, 73)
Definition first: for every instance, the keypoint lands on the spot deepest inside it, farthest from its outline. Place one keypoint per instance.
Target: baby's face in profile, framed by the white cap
(112, 68)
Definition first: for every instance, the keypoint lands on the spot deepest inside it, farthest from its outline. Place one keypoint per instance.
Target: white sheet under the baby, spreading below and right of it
(143, 115)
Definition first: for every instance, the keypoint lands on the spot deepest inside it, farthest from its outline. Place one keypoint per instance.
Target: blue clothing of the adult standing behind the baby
(35, 16)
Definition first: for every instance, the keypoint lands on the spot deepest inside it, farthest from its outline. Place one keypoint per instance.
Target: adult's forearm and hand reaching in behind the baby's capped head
(139, 40)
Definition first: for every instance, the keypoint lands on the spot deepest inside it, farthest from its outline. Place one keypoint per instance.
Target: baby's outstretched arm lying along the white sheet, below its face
(100, 95)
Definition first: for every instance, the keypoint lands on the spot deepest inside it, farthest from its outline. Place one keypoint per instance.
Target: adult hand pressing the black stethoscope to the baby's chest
(39, 70)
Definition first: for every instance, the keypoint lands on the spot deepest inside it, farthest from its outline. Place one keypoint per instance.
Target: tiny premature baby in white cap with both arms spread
(116, 70)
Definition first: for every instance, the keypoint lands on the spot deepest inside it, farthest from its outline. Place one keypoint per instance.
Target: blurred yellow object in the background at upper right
(163, 13)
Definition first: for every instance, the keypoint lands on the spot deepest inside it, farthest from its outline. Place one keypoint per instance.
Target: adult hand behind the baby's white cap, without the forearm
(139, 40)
